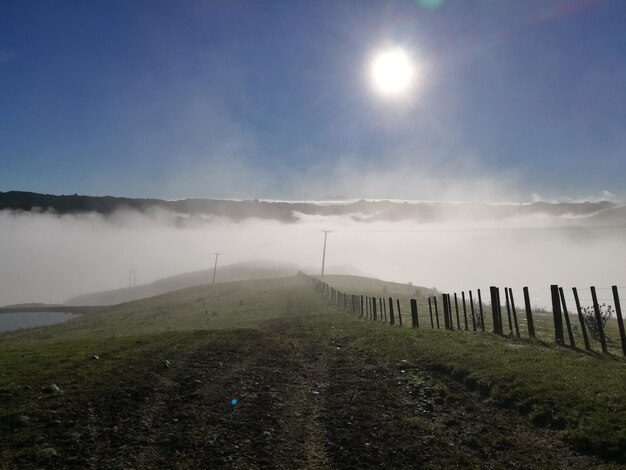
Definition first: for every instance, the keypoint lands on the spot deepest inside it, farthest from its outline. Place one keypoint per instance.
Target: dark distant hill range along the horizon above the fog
(193, 210)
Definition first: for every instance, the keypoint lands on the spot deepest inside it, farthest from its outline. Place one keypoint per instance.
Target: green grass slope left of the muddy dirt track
(131, 340)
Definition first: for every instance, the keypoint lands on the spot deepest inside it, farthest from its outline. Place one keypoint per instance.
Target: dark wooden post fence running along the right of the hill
(469, 313)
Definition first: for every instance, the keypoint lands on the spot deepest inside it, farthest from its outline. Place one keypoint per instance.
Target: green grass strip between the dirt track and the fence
(580, 393)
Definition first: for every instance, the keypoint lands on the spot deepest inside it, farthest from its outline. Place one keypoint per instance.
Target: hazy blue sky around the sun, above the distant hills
(271, 99)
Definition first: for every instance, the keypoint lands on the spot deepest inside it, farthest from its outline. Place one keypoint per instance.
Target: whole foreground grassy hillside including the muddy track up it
(329, 372)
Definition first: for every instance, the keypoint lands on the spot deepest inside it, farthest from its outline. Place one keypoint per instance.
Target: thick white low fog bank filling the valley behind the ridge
(48, 257)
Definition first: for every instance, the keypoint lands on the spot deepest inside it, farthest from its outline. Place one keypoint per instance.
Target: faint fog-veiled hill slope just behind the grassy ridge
(228, 273)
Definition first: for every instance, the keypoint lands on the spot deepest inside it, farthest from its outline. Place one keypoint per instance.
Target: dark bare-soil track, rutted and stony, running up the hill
(304, 400)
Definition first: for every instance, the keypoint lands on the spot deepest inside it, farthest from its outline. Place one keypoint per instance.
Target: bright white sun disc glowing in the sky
(392, 71)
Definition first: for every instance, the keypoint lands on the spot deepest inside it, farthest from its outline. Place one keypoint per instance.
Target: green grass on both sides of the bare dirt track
(582, 394)
